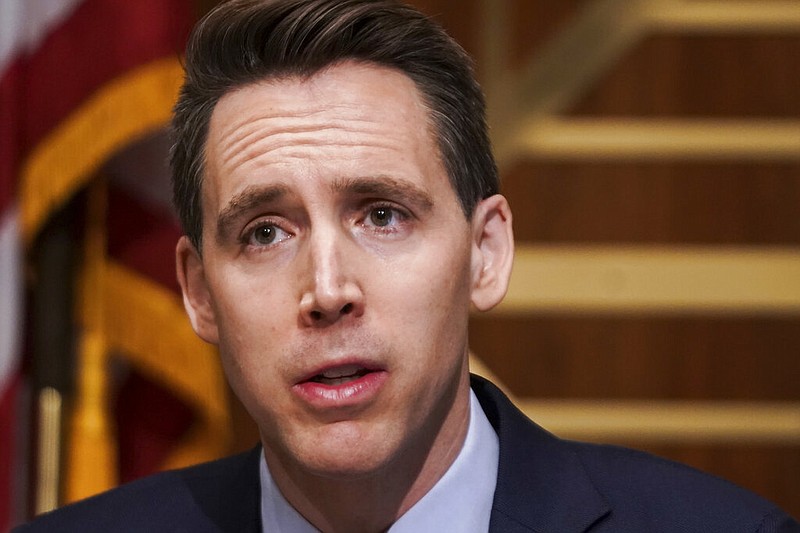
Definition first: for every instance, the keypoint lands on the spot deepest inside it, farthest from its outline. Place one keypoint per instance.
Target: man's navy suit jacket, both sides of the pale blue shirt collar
(544, 484)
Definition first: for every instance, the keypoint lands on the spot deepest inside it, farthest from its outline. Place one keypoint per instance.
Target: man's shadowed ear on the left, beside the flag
(196, 296)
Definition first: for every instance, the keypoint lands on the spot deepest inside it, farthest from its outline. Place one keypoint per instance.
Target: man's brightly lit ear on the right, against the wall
(492, 252)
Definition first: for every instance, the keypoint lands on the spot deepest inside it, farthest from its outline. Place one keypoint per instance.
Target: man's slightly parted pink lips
(346, 385)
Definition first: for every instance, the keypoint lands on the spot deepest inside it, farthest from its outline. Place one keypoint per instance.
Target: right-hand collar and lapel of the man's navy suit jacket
(541, 485)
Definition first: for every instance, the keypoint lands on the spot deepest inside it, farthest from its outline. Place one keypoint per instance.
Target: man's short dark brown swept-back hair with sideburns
(245, 41)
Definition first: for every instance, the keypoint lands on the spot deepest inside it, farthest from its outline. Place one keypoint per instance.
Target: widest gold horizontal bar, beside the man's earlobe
(659, 280)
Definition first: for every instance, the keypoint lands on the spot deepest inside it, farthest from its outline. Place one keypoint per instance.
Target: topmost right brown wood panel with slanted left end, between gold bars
(752, 75)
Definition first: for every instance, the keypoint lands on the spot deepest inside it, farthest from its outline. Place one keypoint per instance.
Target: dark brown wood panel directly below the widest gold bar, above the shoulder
(607, 357)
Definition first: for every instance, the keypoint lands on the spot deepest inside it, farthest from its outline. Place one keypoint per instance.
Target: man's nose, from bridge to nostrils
(332, 291)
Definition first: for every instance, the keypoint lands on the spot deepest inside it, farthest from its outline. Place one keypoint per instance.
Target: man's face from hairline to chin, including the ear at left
(337, 269)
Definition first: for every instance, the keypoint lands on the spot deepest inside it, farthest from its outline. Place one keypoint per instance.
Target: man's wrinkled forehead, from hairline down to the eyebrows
(345, 117)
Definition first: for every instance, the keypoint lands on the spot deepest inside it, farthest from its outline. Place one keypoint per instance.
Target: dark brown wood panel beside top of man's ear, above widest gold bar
(655, 202)
